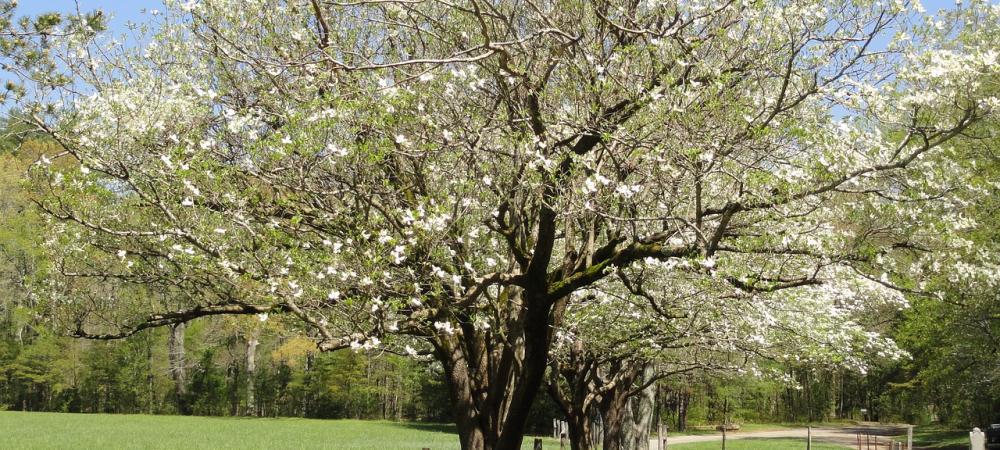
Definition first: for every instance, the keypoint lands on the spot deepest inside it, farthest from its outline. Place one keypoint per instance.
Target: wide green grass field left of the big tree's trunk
(106, 431)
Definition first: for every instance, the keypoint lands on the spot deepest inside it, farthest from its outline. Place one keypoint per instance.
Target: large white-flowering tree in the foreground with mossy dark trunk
(451, 177)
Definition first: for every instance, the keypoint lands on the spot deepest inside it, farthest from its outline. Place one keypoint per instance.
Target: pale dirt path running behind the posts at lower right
(844, 436)
